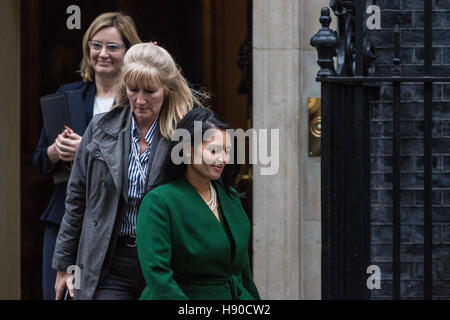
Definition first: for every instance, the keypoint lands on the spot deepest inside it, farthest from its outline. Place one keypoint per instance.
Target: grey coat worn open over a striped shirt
(97, 193)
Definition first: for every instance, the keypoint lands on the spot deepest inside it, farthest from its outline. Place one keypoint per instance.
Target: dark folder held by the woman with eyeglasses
(60, 109)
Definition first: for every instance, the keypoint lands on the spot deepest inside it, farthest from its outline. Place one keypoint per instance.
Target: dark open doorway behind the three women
(204, 37)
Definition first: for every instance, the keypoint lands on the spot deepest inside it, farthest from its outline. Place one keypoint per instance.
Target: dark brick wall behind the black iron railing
(408, 14)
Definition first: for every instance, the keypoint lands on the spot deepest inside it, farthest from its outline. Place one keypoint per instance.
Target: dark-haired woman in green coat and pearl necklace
(192, 232)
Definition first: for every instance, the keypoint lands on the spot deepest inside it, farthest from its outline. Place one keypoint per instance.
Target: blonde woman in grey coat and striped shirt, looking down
(119, 158)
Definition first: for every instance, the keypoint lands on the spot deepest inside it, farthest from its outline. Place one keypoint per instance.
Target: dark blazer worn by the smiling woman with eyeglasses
(55, 209)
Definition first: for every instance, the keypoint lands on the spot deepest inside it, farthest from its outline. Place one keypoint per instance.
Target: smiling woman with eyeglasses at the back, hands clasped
(104, 46)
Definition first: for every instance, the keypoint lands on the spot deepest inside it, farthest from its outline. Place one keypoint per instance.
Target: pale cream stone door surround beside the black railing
(287, 214)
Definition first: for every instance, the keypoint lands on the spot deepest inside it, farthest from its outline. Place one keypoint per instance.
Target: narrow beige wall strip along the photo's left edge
(10, 149)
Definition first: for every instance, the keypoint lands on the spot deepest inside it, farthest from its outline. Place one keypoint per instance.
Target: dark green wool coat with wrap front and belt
(186, 253)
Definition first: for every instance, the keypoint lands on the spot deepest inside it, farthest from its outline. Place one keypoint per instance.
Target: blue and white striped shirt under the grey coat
(136, 183)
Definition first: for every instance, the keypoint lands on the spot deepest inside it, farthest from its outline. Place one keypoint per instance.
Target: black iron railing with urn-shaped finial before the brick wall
(346, 95)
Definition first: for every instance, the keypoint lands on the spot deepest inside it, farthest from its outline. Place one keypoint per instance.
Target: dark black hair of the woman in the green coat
(209, 120)
